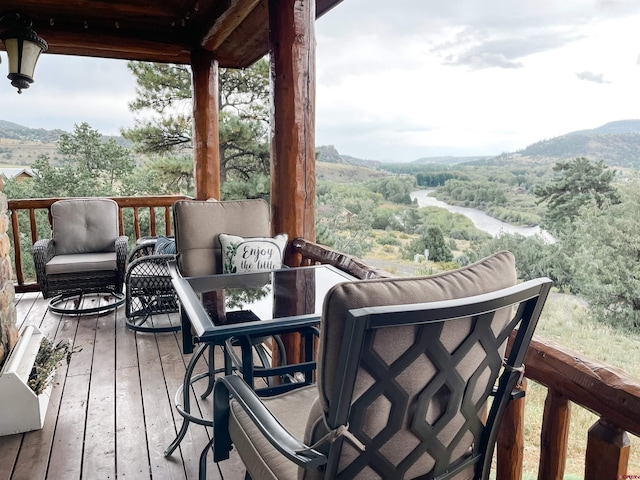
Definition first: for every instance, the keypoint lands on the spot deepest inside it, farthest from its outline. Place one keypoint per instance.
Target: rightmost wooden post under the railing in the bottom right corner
(608, 449)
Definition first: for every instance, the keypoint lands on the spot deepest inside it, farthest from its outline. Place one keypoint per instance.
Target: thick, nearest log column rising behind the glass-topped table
(293, 171)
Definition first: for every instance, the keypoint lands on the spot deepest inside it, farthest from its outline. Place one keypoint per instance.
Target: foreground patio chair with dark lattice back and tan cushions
(405, 369)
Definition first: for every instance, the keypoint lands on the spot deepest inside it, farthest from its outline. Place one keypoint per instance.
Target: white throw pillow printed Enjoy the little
(252, 254)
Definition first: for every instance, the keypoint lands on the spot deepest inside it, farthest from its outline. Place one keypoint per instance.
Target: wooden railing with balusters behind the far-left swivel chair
(136, 204)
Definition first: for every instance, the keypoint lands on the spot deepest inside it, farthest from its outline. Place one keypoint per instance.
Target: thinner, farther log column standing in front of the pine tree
(206, 143)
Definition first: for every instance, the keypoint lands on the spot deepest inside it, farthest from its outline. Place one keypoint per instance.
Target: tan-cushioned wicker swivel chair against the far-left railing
(85, 255)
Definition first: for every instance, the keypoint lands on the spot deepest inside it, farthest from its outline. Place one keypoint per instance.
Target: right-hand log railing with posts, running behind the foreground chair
(570, 377)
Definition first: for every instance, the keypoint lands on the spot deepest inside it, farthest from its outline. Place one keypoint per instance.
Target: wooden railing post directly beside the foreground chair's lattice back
(510, 443)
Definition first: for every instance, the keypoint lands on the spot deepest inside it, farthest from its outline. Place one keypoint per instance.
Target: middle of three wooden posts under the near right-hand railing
(554, 436)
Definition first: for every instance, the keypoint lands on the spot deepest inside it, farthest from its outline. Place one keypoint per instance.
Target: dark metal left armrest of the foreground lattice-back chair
(234, 386)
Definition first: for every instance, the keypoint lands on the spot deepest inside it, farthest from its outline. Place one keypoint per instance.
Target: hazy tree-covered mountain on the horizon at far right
(617, 143)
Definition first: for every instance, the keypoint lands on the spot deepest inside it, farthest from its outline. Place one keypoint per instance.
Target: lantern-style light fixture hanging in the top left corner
(23, 46)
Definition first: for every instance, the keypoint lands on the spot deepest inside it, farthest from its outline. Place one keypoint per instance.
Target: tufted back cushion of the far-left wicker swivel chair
(84, 225)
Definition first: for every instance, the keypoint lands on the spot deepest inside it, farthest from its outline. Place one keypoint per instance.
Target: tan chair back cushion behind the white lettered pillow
(197, 225)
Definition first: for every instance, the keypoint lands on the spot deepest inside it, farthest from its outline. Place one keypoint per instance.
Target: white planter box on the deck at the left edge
(21, 410)
